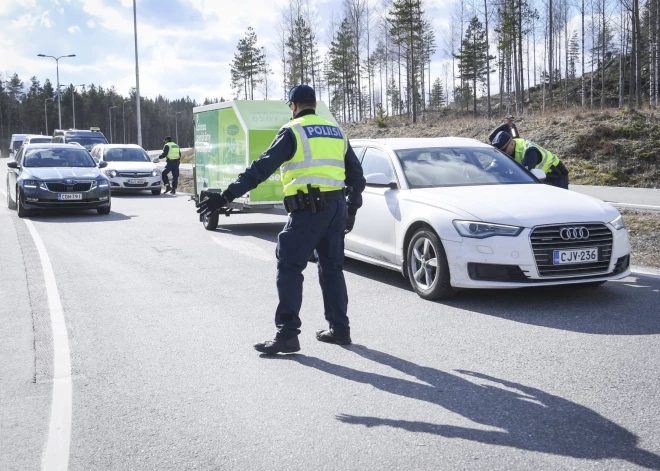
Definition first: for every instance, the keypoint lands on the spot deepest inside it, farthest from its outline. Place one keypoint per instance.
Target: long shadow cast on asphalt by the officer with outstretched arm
(527, 418)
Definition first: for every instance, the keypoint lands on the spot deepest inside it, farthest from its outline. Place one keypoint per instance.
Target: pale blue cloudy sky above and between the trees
(185, 45)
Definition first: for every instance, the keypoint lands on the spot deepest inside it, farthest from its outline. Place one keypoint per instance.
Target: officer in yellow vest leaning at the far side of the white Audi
(531, 155)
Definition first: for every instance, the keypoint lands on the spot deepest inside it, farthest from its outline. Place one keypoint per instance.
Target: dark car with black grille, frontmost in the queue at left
(47, 176)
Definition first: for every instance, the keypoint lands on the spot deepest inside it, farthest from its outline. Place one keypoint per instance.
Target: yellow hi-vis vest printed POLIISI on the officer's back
(319, 158)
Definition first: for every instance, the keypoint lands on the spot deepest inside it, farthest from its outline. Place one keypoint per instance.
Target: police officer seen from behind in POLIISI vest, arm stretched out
(323, 184)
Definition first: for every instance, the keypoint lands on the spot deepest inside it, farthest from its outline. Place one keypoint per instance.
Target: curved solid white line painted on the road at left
(56, 455)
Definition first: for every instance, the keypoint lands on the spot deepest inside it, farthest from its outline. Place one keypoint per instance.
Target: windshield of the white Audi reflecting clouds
(461, 166)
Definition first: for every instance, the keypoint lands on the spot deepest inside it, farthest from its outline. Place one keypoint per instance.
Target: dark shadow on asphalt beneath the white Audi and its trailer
(614, 308)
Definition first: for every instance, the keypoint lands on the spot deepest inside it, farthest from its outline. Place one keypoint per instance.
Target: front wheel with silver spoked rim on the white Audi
(427, 267)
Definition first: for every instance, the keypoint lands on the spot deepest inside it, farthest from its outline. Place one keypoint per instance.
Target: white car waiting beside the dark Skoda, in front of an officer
(129, 167)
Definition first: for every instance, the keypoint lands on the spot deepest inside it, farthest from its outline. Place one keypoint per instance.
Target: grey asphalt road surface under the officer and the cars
(160, 320)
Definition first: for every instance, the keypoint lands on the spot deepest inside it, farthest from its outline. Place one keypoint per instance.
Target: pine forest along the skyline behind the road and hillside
(376, 63)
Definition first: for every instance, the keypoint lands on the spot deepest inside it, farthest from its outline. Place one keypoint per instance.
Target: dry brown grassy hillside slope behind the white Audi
(610, 147)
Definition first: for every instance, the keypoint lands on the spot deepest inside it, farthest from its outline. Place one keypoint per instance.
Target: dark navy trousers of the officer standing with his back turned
(303, 233)
